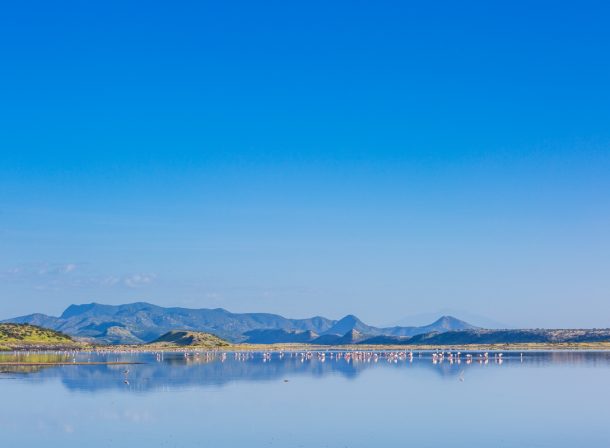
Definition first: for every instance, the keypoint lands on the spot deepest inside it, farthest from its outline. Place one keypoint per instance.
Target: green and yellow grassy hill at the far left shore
(18, 336)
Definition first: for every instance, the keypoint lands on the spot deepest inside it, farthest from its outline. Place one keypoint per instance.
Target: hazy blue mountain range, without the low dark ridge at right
(143, 322)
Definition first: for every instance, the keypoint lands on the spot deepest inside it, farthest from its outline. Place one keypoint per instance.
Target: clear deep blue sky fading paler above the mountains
(379, 158)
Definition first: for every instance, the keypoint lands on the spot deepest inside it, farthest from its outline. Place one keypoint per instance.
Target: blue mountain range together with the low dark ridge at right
(143, 322)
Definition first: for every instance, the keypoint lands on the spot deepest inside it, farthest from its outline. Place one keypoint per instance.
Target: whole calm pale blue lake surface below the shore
(551, 399)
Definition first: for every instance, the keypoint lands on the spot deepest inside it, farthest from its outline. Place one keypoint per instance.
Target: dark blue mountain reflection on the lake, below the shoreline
(176, 370)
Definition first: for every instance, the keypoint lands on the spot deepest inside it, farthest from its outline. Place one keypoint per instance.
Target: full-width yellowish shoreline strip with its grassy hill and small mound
(25, 337)
